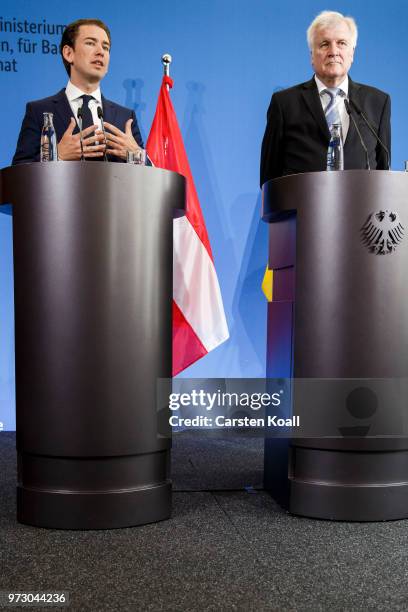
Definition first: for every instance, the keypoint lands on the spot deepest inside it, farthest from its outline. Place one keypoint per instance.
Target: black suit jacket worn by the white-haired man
(297, 137)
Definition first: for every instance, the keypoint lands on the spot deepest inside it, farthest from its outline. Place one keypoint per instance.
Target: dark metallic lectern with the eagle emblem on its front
(338, 329)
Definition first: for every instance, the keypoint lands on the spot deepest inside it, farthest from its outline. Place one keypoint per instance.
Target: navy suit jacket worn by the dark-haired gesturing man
(28, 144)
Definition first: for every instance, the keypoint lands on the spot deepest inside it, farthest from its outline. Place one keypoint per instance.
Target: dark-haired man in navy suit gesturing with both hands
(85, 50)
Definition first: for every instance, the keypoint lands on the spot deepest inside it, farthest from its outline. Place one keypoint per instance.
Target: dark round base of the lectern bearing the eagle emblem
(339, 485)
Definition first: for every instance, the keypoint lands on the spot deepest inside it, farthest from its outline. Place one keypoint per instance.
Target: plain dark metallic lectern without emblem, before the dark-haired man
(93, 309)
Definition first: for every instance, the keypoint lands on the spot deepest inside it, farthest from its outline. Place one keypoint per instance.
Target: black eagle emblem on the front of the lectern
(382, 232)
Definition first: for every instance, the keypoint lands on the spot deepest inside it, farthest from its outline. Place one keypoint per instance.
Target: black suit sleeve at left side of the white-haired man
(271, 153)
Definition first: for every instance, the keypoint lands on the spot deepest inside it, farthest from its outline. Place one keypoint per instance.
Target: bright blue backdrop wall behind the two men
(228, 58)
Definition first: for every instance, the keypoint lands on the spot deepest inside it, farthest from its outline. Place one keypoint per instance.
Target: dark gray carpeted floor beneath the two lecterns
(228, 546)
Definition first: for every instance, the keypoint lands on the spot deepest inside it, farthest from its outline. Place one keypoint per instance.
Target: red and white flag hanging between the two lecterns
(199, 323)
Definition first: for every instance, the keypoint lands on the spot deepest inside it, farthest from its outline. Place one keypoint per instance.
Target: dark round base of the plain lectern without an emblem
(93, 493)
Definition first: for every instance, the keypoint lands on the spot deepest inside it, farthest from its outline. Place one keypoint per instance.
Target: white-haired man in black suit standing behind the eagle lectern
(298, 129)
